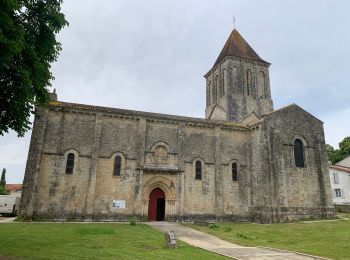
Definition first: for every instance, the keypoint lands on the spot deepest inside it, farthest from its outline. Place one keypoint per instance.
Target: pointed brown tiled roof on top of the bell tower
(238, 47)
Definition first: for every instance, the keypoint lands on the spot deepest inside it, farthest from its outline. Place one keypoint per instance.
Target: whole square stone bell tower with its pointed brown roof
(238, 83)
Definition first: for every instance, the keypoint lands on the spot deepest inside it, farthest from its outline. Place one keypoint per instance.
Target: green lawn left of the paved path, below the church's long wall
(90, 241)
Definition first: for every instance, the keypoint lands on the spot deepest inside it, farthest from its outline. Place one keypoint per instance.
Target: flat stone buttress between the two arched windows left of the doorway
(95, 150)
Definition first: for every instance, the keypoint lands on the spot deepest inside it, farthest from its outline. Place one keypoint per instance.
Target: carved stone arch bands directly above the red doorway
(159, 182)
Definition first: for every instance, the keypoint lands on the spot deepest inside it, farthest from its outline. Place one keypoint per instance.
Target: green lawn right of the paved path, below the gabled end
(329, 239)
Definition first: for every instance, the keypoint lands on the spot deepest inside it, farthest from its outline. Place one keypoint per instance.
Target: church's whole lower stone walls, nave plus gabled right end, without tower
(269, 186)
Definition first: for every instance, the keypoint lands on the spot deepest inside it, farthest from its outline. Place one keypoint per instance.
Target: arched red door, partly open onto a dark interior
(156, 205)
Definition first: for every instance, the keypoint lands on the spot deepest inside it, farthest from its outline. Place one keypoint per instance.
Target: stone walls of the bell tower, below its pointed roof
(227, 94)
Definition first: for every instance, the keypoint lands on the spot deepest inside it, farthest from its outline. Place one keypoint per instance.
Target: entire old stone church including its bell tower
(243, 161)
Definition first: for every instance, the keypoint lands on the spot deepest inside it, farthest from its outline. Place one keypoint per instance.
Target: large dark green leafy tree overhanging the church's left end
(28, 45)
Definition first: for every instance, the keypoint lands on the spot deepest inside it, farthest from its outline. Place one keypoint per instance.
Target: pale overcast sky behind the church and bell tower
(152, 55)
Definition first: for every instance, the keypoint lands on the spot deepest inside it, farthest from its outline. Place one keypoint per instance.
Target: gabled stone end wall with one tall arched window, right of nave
(294, 192)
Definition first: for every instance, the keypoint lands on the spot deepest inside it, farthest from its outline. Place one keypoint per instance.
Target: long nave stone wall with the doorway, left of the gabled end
(89, 191)
